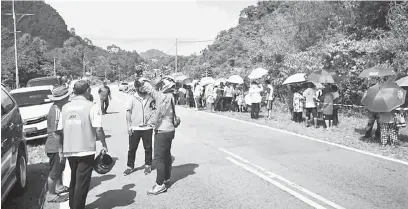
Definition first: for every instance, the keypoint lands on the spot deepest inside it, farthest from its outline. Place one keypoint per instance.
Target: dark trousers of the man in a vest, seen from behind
(81, 173)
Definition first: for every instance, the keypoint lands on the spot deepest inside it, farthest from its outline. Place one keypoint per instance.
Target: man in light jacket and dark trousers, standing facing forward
(140, 109)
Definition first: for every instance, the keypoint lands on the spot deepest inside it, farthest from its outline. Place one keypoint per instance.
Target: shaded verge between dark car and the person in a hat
(37, 173)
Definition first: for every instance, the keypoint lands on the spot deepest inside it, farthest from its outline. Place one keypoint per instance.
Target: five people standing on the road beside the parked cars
(74, 124)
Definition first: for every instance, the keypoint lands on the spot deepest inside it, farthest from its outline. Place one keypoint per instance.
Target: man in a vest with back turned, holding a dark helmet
(81, 125)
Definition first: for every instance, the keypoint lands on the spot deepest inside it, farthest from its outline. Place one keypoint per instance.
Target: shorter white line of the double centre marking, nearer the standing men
(277, 184)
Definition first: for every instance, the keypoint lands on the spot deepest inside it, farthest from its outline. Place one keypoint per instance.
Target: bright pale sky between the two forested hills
(142, 25)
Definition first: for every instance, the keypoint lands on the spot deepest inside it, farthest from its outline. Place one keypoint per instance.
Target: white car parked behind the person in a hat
(34, 106)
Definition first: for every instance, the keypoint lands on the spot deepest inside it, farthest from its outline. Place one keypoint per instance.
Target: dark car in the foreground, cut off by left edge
(14, 154)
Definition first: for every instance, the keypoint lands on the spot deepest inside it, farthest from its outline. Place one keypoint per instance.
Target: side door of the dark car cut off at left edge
(7, 136)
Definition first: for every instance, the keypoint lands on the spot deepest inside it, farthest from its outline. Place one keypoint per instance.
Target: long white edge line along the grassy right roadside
(310, 138)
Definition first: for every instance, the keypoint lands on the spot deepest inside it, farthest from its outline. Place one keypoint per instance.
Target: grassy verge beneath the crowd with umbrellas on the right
(349, 132)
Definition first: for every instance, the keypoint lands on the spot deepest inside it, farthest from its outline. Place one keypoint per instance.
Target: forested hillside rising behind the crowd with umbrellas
(289, 37)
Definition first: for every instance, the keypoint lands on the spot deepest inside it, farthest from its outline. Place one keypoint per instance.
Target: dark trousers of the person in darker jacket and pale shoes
(162, 155)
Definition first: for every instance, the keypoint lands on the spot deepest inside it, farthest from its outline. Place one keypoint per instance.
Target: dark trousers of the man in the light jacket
(134, 139)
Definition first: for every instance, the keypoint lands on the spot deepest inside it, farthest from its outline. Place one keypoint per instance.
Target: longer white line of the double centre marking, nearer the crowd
(296, 186)
